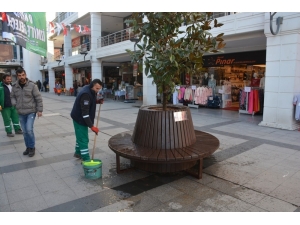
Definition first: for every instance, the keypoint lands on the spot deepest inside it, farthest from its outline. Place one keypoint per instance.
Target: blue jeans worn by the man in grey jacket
(26, 122)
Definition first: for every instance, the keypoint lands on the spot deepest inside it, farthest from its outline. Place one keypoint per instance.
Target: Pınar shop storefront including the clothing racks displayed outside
(229, 81)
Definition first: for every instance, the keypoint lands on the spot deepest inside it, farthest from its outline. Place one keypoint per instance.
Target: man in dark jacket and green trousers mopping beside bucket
(83, 114)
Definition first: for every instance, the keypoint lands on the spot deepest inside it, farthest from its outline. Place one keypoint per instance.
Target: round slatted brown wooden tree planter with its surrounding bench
(164, 141)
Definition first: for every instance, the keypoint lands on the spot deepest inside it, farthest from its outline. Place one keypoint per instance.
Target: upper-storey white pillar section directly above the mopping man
(96, 29)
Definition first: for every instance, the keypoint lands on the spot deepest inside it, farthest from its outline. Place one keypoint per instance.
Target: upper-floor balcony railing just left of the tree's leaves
(114, 38)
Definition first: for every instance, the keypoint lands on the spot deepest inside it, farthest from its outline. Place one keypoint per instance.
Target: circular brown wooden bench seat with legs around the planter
(164, 160)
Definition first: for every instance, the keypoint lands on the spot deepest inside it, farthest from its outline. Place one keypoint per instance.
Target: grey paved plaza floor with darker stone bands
(255, 169)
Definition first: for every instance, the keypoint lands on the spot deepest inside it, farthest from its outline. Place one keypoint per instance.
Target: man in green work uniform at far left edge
(8, 111)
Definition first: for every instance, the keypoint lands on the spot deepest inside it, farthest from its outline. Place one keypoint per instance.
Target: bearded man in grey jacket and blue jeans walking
(28, 101)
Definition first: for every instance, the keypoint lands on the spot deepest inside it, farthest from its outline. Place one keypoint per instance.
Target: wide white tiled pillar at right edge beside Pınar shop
(282, 80)
